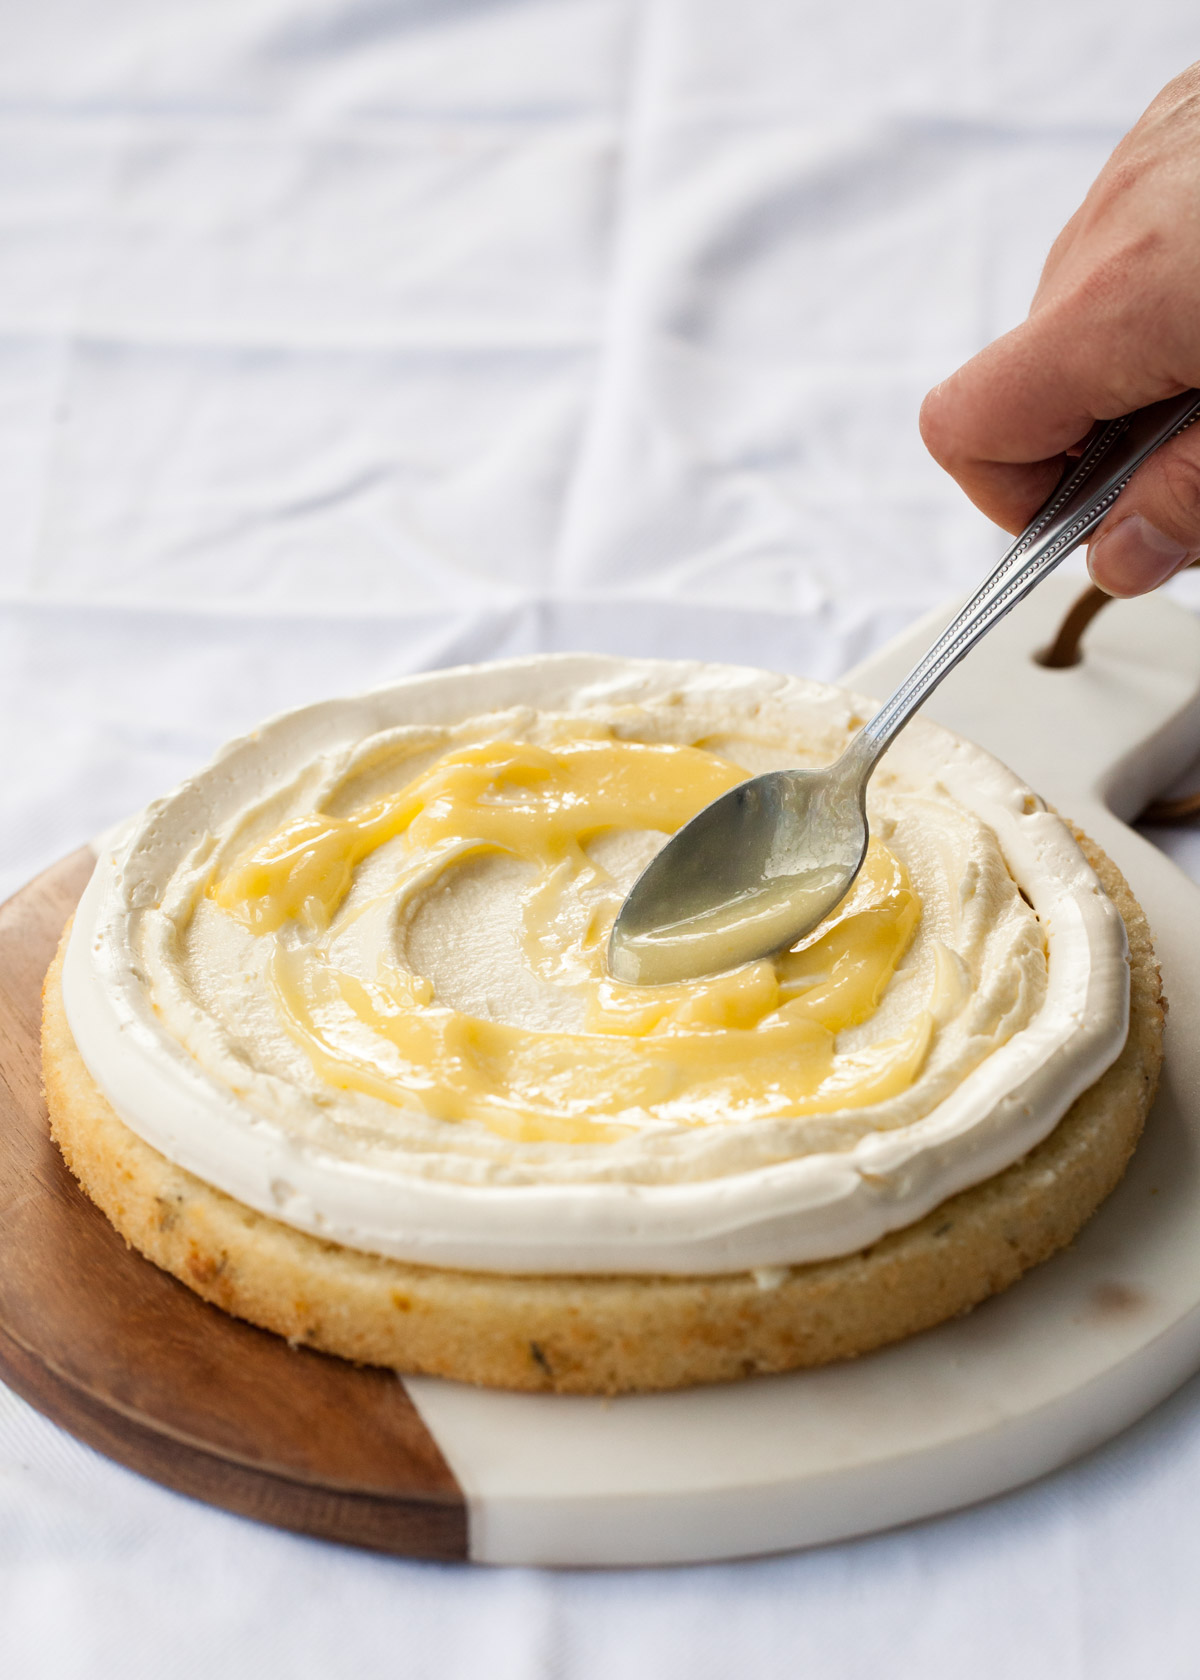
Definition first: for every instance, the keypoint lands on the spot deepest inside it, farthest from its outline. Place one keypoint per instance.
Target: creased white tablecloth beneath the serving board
(342, 339)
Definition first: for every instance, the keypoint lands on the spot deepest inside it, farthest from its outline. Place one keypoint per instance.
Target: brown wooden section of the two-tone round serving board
(145, 1372)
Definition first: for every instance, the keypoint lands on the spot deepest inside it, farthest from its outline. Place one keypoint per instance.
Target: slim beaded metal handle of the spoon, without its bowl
(1082, 500)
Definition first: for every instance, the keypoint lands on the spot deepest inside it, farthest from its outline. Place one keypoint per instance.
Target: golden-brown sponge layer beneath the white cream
(613, 1335)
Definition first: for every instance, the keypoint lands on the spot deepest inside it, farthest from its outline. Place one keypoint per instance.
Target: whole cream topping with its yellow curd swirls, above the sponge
(354, 975)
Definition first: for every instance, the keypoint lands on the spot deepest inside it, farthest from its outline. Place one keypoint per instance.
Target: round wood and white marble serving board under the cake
(134, 1363)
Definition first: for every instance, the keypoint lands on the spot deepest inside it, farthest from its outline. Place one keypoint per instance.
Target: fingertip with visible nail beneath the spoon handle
(1155, 525)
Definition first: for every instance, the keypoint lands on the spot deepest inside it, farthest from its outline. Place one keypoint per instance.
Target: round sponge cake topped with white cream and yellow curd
(334, 1039)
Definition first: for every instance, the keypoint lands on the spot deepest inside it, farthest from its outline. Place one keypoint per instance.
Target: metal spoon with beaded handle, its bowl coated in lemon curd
(764, 864)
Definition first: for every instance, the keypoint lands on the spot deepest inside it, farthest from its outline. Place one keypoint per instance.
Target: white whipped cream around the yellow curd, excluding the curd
(1014, 985)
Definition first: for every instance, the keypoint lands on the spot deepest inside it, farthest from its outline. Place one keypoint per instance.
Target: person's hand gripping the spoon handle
(1115, 325)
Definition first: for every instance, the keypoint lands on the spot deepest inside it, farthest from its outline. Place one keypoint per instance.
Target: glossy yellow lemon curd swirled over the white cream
(752, 1044)
